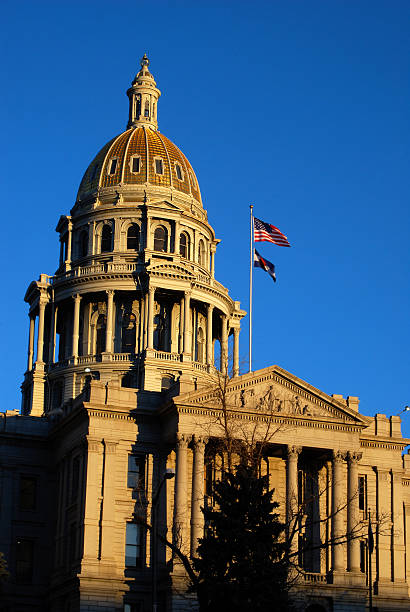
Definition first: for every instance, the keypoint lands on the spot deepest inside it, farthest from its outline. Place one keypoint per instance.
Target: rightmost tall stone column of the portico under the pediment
(353, 519)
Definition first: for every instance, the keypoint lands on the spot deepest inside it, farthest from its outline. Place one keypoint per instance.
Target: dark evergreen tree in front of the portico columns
(241, 561)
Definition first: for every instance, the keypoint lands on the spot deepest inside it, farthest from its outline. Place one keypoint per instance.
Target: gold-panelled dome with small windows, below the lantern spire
(131, 159)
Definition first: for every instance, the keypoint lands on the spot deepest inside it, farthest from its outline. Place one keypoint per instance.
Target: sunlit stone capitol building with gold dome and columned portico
(128, 345)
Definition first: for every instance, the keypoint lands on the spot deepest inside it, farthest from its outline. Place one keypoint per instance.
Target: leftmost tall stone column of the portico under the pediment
(181, 492)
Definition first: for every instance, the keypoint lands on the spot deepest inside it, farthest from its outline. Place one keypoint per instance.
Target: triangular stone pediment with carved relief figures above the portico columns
(277, 393)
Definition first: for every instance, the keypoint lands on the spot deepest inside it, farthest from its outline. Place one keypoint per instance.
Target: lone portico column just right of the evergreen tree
(292, 499)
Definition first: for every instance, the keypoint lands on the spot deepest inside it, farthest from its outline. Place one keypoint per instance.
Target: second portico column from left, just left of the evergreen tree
(197, 499)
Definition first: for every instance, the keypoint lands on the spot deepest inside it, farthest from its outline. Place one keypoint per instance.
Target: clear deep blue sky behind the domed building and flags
(300, 108)
